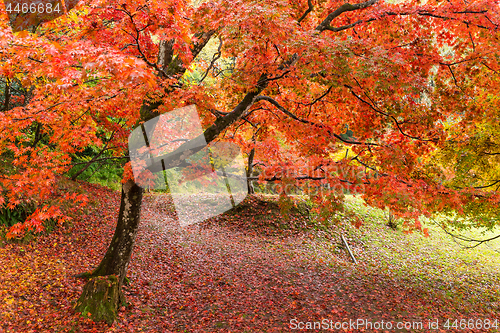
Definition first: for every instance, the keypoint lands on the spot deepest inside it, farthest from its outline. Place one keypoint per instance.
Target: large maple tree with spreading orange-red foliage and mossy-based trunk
(406, 82)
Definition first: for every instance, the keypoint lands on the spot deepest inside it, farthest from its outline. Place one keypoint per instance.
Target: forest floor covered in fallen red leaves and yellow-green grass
(251, 270)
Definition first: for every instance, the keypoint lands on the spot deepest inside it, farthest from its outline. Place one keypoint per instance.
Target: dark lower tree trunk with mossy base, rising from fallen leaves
(101, 297)
